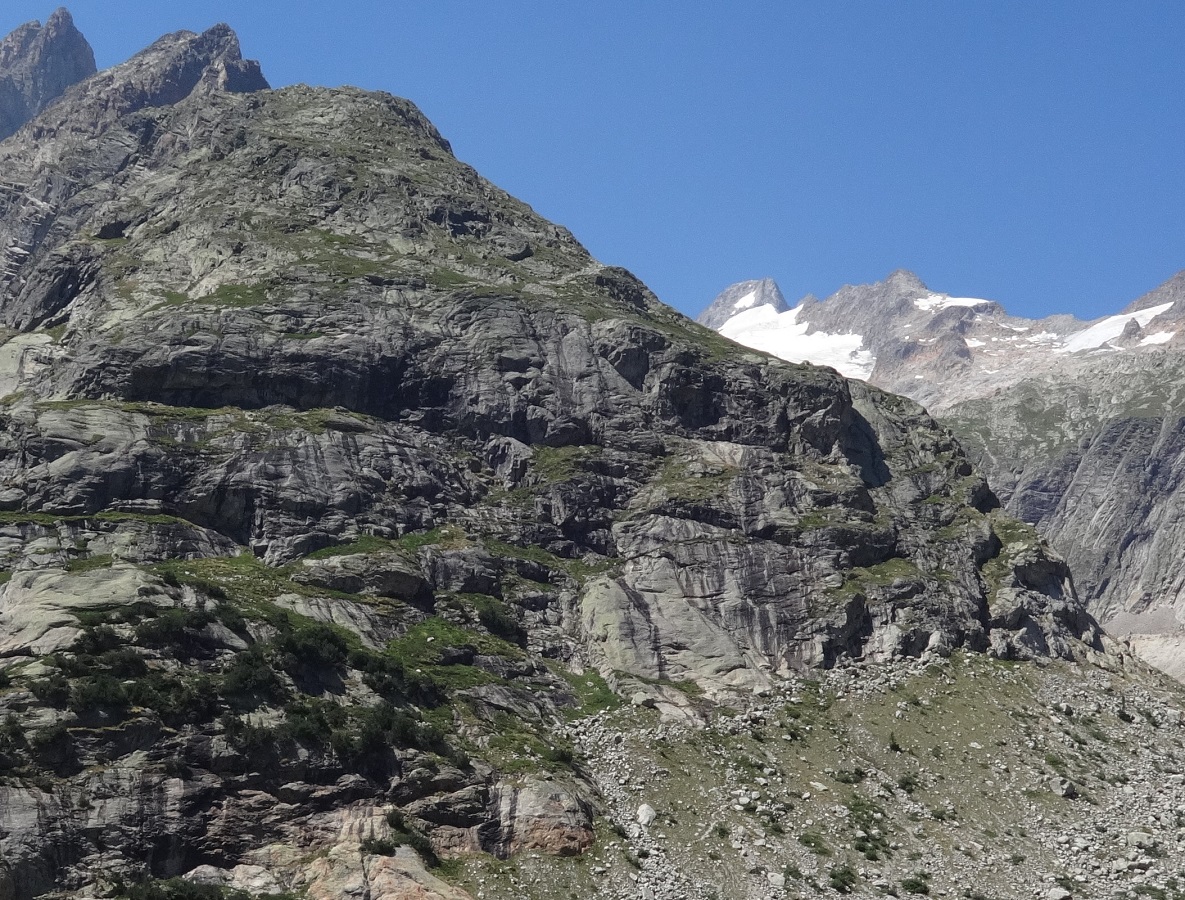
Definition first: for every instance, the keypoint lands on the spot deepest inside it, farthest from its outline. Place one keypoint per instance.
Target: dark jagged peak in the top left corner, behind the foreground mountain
(37, 66)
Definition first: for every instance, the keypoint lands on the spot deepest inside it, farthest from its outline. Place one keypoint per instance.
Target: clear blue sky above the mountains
(1028, 152)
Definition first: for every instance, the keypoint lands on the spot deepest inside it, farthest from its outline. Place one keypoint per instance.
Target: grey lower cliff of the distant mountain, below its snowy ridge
(1094, 458)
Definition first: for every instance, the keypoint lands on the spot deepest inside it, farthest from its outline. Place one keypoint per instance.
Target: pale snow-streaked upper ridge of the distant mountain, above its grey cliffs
(938, 349)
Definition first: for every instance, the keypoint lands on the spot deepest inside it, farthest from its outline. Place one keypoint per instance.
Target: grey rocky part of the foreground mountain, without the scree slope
(324, 462)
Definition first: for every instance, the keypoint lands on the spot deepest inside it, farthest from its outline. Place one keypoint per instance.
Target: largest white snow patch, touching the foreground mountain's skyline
(782, 335)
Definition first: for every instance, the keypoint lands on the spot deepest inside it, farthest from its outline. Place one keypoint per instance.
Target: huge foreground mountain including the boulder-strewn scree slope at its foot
(363, 537)
